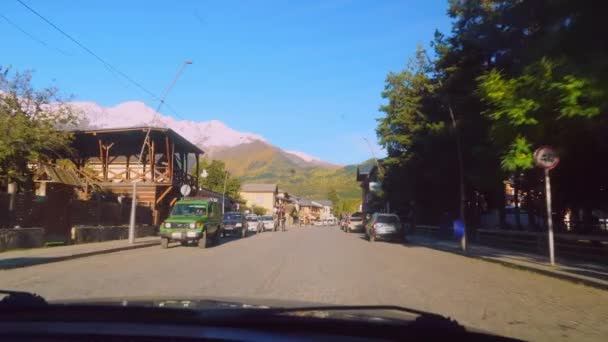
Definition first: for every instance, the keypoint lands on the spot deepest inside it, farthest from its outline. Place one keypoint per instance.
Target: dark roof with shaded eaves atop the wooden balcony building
(128, 141)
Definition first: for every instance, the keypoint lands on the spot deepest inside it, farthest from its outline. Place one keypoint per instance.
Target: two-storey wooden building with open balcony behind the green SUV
(110, 159)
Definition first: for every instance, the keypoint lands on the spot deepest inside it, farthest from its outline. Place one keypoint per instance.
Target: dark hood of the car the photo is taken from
(223, 307)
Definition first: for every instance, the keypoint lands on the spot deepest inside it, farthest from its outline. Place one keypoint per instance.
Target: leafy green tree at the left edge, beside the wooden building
(34, 125)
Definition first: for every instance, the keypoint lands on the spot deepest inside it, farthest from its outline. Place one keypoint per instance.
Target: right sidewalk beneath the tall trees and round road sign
(590, 274)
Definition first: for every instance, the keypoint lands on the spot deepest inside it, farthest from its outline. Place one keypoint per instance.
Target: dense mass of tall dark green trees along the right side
(516, 75)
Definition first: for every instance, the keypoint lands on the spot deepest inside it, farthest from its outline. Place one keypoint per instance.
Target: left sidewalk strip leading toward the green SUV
(37, 256)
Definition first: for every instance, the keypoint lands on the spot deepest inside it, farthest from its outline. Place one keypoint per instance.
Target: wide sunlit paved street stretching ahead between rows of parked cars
(323, 264)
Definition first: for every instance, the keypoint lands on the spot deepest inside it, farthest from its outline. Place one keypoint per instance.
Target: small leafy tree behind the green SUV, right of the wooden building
(216, 175)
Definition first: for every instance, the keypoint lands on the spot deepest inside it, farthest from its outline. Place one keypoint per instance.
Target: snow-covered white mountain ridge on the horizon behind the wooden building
(210, 135)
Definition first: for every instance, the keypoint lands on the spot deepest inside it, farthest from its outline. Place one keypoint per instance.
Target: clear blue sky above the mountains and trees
(307, 75)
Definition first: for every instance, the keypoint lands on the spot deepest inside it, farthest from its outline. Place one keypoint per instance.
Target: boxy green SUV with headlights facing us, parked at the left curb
(197, 220)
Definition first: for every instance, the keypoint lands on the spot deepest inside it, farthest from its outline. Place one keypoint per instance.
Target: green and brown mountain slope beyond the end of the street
(259, 162)
